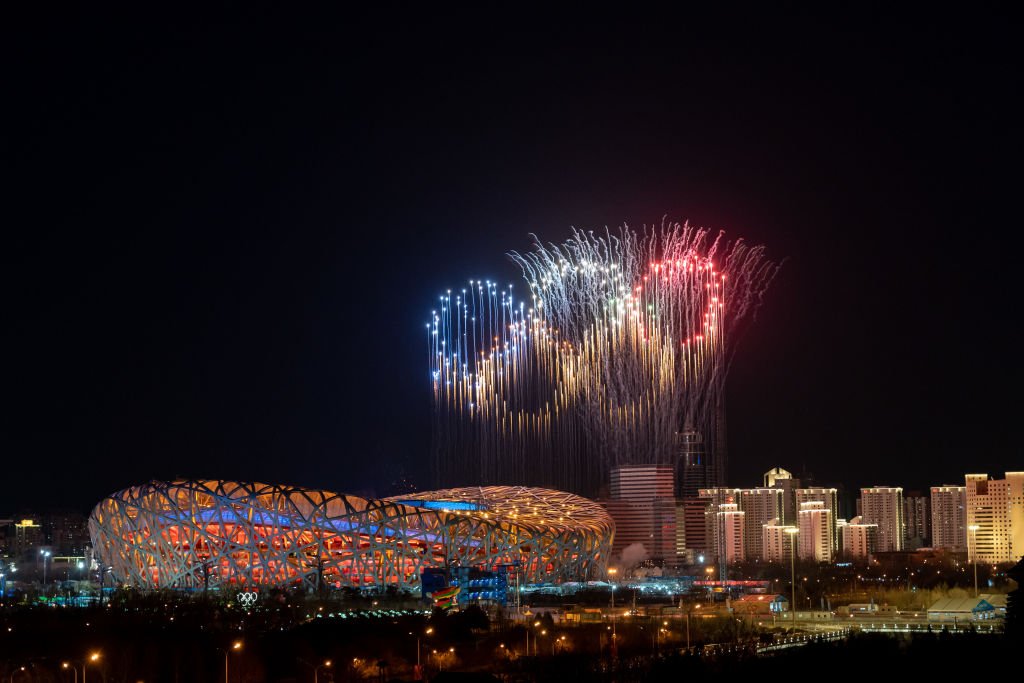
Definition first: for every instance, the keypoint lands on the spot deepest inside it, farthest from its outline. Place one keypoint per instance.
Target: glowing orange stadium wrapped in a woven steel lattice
(195, 534)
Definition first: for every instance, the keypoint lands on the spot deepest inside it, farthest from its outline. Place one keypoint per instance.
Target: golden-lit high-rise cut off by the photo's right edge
(996, 518)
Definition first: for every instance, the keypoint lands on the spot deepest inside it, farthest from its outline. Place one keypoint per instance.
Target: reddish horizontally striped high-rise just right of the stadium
(645, 509)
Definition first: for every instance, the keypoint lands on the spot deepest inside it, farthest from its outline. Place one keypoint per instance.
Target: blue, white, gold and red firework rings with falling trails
(622, 345)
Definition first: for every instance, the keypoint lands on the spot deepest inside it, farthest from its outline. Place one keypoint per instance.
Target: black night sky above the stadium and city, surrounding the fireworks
(223, 240)
